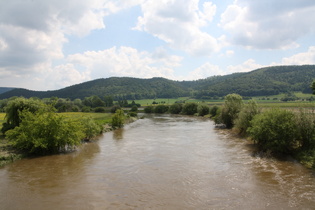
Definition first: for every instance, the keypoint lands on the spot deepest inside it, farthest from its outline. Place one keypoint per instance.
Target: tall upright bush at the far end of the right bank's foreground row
(232, 106)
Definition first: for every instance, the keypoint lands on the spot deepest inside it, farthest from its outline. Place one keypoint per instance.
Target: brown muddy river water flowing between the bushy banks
(160, 162)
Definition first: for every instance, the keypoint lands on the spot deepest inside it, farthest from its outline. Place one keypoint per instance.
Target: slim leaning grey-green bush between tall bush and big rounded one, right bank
(242, 123)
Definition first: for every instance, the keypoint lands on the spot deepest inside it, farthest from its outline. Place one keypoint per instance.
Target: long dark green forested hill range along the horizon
(260, 82)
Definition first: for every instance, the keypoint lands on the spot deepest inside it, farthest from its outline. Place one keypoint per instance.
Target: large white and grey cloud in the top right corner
(268, 24)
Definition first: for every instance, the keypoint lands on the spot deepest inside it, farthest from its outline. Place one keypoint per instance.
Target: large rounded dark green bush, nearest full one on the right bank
(274, 130)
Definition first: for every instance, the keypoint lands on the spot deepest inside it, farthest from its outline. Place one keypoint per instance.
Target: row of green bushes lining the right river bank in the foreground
(275, 131)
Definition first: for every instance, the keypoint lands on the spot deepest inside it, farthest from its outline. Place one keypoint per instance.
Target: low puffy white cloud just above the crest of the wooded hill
(126, 61)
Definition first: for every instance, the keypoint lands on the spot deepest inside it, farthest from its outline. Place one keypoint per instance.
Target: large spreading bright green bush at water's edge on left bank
(45, 133)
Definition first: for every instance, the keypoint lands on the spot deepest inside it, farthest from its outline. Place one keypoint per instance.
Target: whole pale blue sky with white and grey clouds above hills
(52, 44)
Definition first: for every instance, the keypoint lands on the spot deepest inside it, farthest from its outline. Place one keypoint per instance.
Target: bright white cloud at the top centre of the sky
(178, 23)
